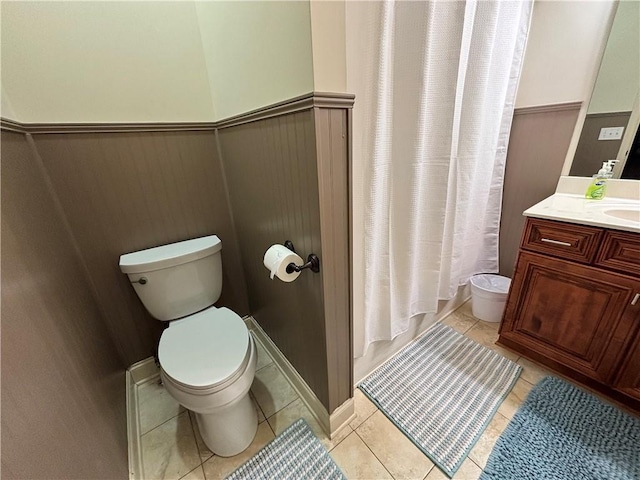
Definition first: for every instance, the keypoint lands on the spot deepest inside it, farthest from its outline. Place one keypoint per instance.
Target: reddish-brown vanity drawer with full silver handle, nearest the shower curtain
(563, 240)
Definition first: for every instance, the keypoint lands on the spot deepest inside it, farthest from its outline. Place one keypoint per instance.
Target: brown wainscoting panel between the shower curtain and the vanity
(538, 145)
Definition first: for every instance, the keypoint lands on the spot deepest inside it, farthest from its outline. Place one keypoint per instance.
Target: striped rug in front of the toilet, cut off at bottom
(295, 454)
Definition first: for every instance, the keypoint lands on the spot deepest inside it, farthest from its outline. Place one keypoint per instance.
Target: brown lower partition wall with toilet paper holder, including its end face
(287, 180)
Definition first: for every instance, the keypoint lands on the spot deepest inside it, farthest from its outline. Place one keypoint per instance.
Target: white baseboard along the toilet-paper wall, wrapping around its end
(330, 423)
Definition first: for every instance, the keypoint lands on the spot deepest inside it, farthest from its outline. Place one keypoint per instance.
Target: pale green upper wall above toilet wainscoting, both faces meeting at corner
(152, 61)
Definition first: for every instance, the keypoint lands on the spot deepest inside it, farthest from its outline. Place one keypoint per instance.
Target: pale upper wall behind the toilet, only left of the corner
(104, 62)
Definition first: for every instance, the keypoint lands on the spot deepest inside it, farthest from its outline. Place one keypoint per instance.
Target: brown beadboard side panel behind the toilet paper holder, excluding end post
(272, 175)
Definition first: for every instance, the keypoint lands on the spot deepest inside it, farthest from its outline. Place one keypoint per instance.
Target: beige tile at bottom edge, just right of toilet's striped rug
(357, 461)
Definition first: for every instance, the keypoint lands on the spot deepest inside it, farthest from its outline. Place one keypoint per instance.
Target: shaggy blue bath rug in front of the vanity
(565, 433)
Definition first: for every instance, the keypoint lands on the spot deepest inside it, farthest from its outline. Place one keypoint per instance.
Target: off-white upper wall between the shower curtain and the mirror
(563, 50)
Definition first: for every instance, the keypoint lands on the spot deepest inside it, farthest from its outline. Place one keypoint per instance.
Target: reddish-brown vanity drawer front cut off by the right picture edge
(620, 251)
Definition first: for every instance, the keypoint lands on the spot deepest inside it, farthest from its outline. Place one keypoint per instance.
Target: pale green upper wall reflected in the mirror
(619, 77)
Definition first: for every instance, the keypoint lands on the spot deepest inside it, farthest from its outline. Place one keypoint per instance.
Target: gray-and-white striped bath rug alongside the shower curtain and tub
(441, 392)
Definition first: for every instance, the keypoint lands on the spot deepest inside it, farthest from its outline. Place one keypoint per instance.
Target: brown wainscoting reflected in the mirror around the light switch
(591, 152)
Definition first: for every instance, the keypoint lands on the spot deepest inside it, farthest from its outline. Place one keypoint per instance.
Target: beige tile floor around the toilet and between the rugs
(370, 447)
